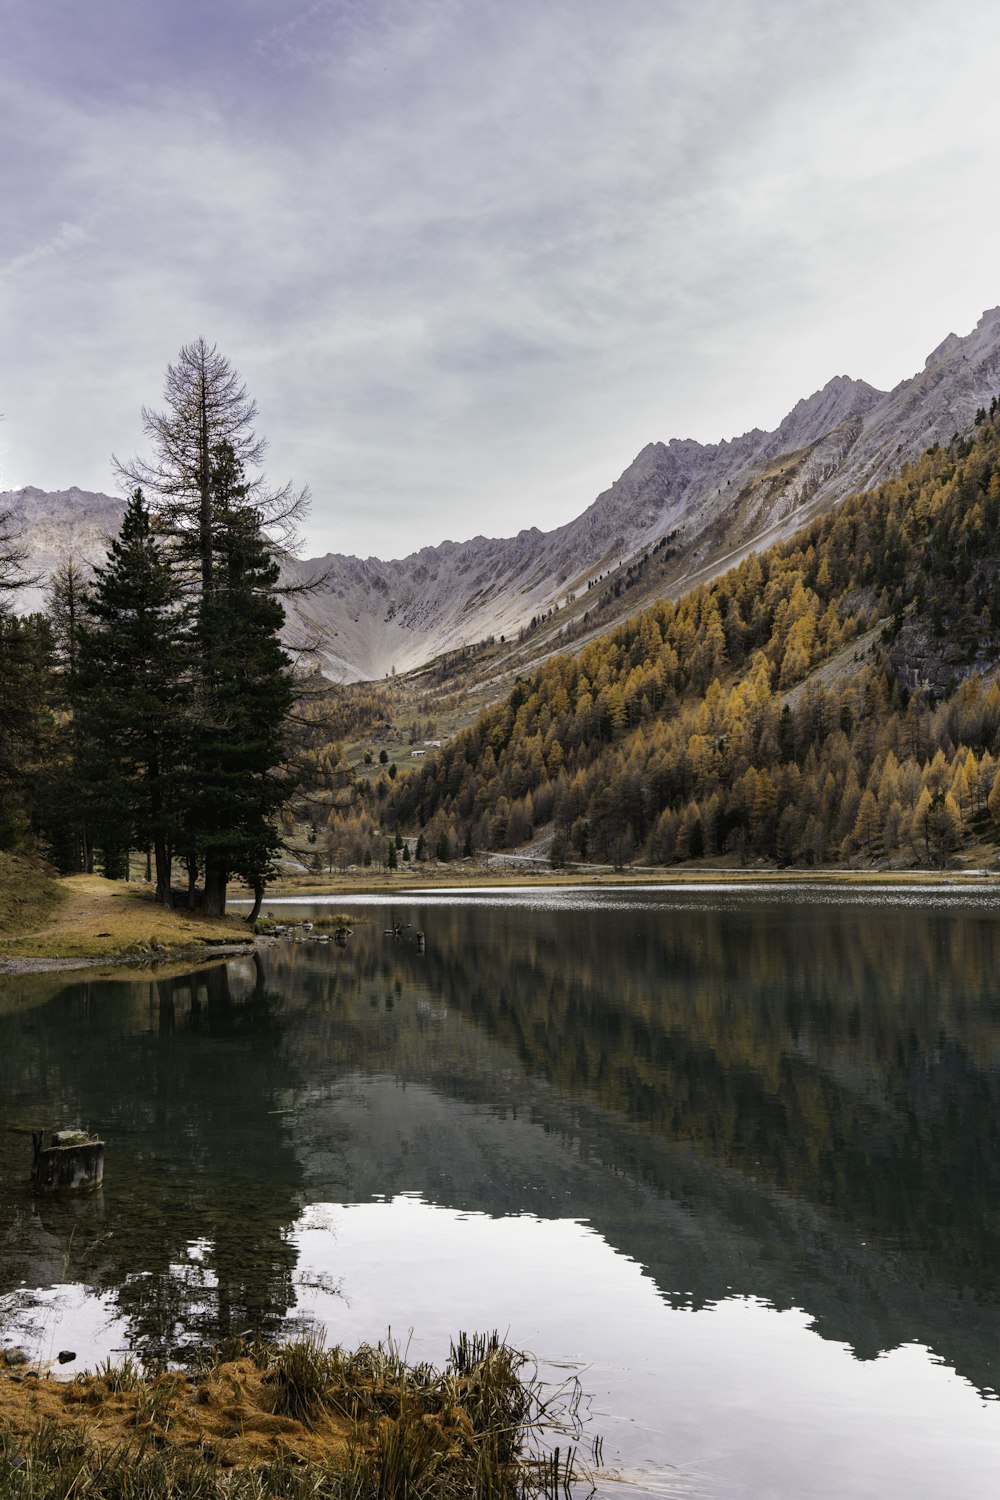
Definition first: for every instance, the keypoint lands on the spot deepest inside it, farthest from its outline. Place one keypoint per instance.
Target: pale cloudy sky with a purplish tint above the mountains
(472, 257)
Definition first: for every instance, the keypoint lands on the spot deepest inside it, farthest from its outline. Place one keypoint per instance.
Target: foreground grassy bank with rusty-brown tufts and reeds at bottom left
(287, 1421)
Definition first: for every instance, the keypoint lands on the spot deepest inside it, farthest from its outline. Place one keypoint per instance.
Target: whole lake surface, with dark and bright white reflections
(732, 1157)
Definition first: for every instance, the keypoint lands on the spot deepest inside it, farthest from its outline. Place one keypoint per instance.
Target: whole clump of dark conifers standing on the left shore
(148, 709)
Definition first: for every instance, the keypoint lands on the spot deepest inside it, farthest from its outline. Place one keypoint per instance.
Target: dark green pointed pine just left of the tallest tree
(133, 698)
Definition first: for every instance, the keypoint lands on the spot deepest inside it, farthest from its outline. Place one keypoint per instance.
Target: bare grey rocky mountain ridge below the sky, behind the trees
(714, 503)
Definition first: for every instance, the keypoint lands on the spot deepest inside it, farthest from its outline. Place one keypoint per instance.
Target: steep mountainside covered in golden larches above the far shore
(698, 730)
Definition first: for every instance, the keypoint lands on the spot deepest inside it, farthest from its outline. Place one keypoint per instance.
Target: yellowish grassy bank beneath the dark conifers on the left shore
(85, 917)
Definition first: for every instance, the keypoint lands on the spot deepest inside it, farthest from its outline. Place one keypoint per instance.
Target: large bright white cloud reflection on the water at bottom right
(735, 1399)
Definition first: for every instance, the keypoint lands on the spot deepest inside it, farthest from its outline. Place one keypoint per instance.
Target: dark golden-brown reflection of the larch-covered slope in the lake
(846, 1055)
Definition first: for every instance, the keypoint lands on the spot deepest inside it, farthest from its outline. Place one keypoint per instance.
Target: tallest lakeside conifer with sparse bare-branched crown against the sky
(226, 523)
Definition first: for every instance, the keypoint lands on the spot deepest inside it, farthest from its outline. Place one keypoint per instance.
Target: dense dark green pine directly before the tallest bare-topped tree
(244, 697)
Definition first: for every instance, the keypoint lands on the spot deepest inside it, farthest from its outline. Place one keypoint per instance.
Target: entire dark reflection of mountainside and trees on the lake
(792, 1103)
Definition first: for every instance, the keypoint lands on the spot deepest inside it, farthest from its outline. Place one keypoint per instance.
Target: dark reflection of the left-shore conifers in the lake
(202, 1180)
